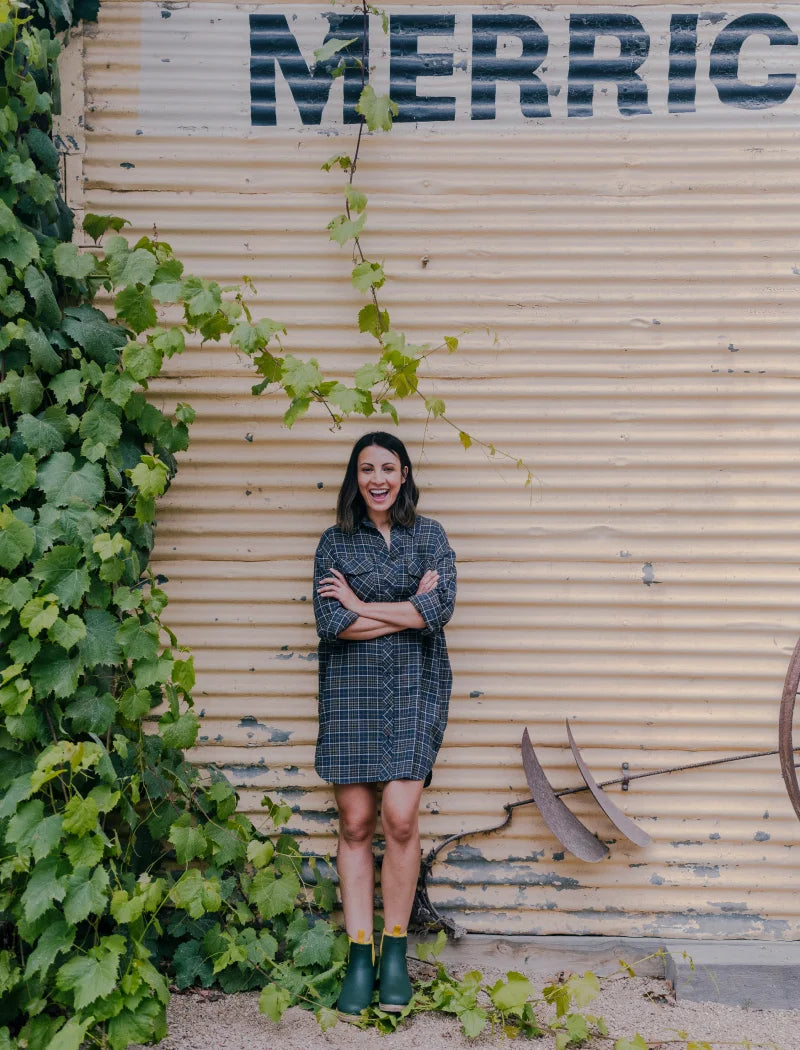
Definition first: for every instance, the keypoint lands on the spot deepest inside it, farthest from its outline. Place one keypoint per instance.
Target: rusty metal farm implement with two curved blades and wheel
(574, 835)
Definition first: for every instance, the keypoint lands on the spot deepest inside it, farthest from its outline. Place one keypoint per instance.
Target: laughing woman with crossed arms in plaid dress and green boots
(385, 589)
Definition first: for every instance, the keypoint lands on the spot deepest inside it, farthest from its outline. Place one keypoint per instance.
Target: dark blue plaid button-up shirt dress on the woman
(384, 702)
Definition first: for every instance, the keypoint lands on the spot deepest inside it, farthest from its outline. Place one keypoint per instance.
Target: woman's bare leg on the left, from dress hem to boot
(359, 810)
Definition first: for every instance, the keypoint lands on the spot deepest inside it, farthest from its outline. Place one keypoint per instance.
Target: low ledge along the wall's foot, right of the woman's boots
(756, 975)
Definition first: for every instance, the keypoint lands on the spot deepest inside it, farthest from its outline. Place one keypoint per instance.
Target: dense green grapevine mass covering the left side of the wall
(121, 867)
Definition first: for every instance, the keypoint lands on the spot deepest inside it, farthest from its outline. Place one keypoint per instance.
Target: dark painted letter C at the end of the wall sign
(725, 64)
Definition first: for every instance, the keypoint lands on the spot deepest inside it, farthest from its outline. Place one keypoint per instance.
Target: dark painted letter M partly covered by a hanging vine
(272, 44)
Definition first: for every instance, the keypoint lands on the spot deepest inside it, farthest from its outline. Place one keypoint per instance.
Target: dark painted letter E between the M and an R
(407, 65)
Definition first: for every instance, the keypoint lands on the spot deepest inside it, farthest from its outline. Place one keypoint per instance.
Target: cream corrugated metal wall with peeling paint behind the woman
(639, 278)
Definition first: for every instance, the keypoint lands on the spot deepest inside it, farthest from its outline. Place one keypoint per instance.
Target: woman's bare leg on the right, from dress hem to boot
(402, 863)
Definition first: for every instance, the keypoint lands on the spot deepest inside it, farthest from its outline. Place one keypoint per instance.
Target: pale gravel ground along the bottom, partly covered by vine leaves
(203, 1021)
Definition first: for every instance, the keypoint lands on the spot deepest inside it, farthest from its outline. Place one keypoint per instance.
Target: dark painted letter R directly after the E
(490, 69)
